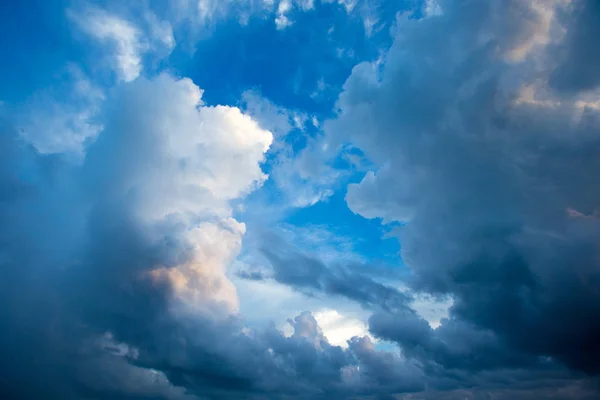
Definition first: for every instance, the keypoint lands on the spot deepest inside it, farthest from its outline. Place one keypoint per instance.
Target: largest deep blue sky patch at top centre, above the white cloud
(290, 66)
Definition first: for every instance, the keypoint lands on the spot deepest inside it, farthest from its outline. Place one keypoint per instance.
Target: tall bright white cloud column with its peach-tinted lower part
(176, 162)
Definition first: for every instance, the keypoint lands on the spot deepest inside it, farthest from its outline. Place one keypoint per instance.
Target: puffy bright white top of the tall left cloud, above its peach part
(217, 148)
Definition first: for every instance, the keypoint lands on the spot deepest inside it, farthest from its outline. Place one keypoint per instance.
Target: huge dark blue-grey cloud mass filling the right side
(482, 177)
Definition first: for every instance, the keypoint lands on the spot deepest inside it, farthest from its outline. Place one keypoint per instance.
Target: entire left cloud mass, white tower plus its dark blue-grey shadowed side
(138, 234)
